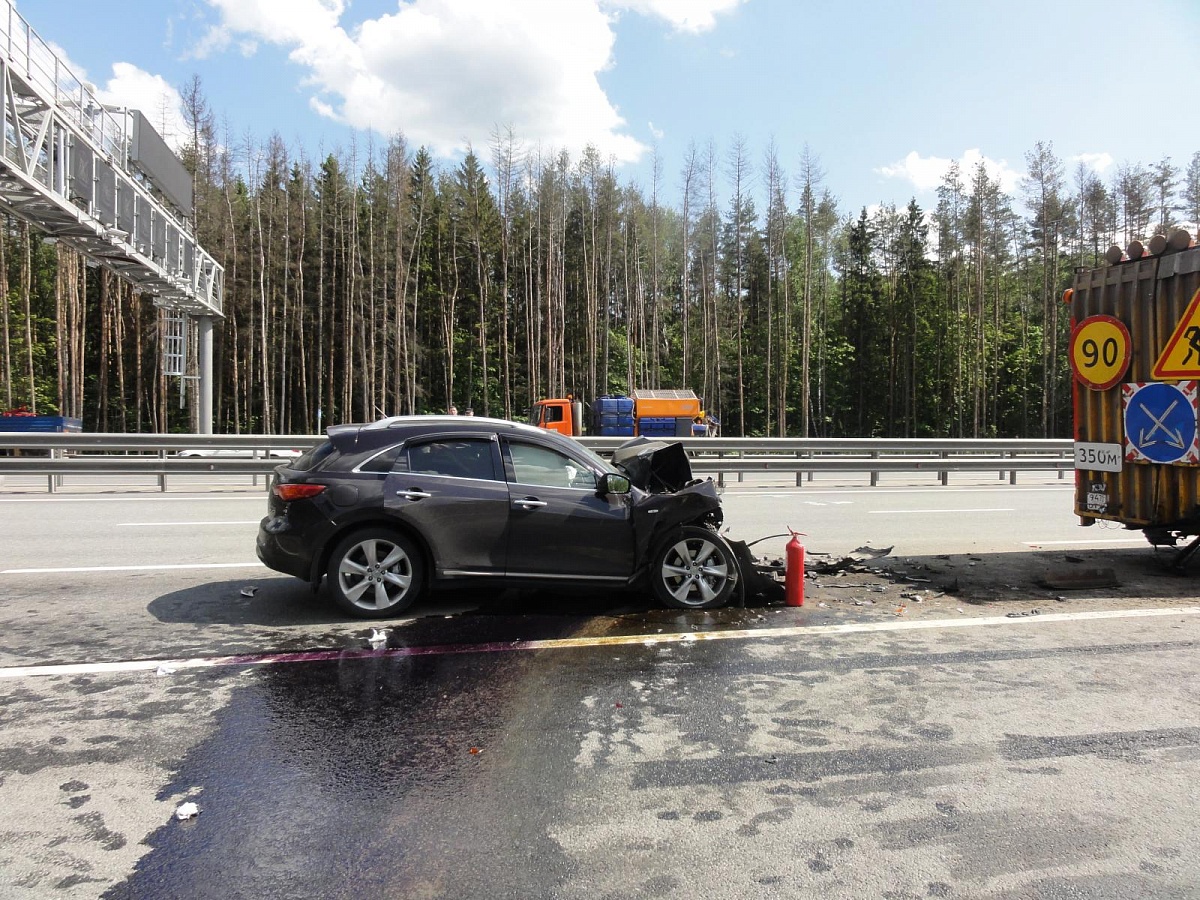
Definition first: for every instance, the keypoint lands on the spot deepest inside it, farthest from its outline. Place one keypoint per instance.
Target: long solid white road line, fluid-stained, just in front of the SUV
(262, 659)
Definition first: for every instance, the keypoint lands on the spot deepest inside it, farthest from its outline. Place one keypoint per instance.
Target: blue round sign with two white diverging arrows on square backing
(1161, 422)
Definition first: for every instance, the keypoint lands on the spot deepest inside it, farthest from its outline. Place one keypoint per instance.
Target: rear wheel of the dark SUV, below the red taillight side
(376, 573)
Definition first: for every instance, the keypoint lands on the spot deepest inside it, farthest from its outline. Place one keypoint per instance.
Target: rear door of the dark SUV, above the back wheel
(452, 489)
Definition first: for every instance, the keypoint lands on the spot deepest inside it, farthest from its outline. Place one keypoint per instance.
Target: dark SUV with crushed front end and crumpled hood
(391, 508)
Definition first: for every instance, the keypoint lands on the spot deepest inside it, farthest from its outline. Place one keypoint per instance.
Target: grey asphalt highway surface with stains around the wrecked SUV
(895, 737)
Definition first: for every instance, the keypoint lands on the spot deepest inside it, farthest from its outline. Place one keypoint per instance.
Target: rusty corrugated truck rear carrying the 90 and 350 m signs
(1136, 358)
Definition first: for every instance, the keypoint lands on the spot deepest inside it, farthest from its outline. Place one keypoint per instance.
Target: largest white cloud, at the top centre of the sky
(448, 73)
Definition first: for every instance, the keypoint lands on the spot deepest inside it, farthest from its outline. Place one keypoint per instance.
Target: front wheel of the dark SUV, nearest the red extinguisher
(694, 569)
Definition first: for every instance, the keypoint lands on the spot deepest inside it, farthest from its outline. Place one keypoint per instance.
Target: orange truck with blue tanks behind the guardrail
(656, 415)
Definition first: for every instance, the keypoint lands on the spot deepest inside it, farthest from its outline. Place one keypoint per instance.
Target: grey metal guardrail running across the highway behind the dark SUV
(158, 455)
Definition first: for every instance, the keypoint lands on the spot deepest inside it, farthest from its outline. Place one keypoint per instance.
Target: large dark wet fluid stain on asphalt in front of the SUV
(358, 778)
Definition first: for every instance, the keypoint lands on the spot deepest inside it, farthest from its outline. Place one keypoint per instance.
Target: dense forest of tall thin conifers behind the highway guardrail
(375, 283)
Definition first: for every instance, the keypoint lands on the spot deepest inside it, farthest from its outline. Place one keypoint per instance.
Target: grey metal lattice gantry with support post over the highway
(104, 182)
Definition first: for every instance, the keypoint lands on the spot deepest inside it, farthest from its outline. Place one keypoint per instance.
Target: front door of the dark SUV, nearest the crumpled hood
(559, 527)
